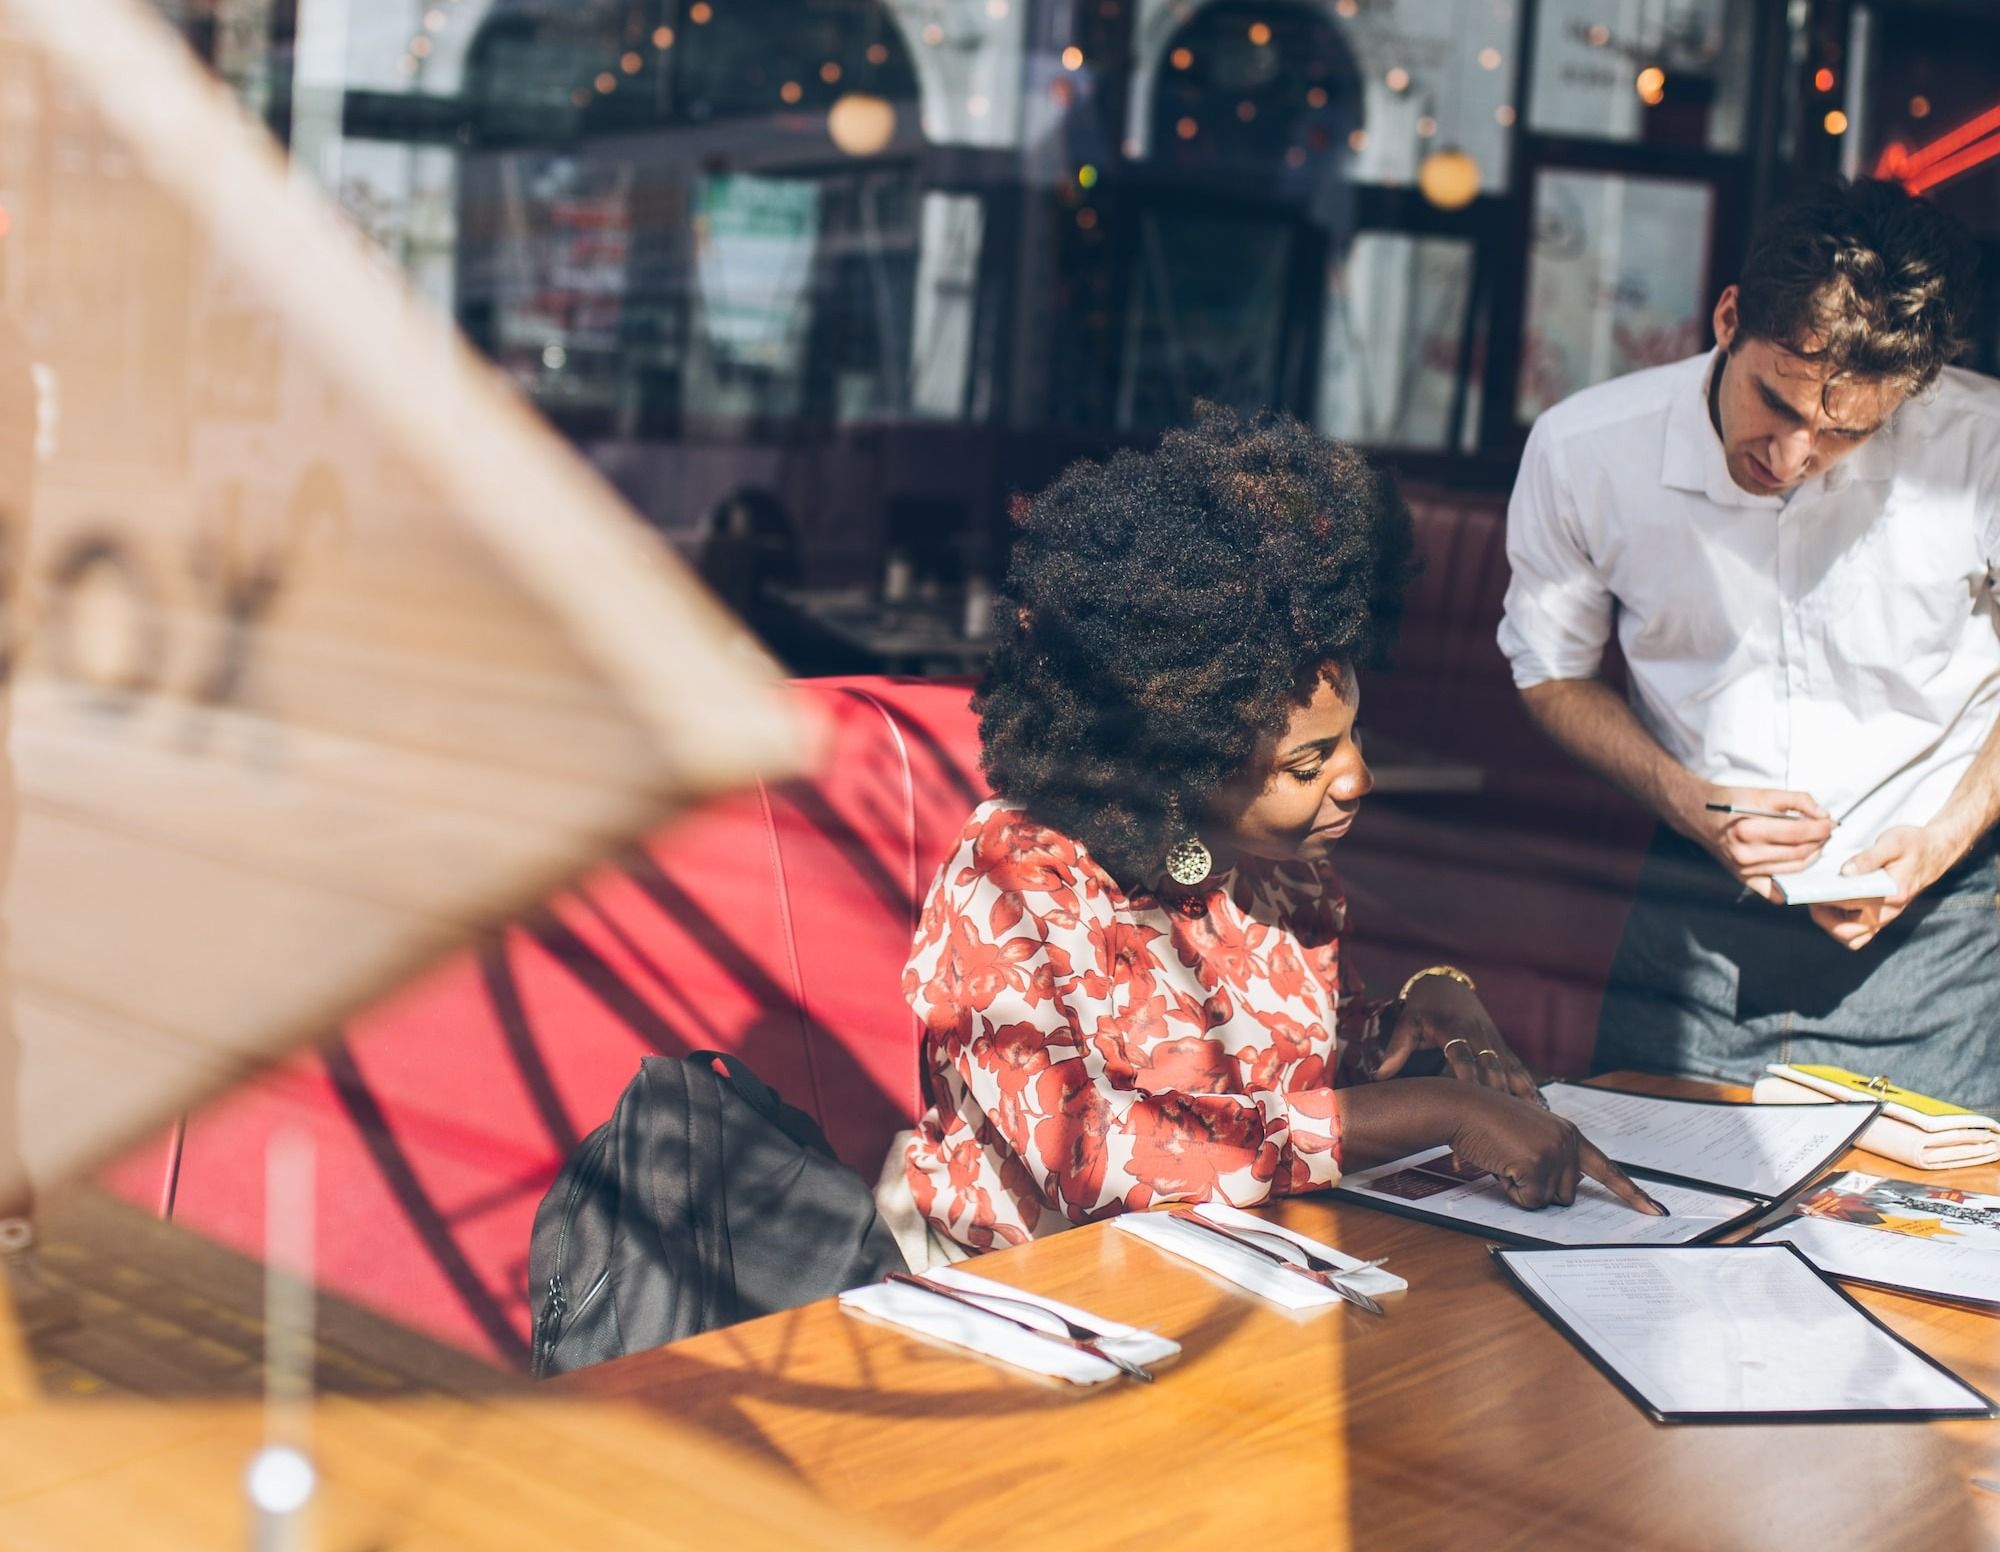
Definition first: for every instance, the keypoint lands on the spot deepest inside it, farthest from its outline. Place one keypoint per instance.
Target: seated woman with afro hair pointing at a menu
(1129, 971)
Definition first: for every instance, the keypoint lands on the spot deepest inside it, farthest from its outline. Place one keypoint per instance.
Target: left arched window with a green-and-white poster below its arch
(693, 213)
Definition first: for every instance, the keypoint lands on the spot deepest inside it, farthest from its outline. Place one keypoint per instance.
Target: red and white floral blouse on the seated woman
(1089, 1053)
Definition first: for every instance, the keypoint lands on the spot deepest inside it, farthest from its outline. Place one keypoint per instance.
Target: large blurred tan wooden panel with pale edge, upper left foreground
(323, 649)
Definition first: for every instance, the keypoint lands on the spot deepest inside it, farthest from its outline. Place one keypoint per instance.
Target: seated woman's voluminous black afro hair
(1167, 611)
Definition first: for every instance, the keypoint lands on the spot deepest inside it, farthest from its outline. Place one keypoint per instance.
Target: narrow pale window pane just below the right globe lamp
(1395, 327)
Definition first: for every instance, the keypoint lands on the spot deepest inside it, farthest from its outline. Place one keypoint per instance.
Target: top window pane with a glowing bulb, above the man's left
(1673, 73)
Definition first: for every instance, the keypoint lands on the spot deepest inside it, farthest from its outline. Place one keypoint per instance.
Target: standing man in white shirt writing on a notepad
(1797, 541)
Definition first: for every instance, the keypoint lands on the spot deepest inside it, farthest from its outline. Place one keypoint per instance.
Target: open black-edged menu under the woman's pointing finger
(1713, 1165)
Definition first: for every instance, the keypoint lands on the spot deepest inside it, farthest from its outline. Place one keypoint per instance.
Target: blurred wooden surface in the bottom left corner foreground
(137, 1429)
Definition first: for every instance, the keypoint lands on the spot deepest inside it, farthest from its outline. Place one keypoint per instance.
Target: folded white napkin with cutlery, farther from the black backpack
(993, 1337)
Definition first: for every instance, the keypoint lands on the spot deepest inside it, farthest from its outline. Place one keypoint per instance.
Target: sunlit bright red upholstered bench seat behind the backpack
(773, 925)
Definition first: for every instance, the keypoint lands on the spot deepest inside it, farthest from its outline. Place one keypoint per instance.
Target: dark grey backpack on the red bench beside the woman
(703, 1201)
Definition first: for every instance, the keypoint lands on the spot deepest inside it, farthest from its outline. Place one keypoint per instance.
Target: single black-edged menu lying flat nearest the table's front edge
(1743, 1333)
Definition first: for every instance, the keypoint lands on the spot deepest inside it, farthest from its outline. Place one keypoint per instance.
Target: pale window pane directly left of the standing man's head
(1617, 281)
